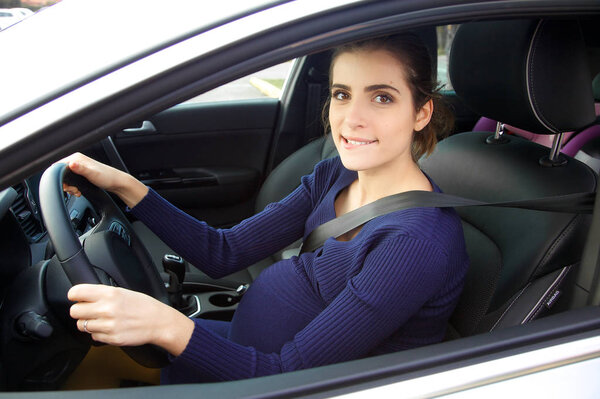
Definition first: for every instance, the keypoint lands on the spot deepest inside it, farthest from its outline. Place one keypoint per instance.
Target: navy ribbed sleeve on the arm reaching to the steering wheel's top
(219, 252)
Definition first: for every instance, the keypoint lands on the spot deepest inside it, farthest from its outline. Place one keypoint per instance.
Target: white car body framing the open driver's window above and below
(106, 67)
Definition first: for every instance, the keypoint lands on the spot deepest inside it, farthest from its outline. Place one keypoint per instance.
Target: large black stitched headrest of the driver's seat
(532, 74)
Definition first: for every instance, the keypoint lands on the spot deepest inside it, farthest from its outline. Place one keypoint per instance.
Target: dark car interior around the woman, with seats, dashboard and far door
(524, 99)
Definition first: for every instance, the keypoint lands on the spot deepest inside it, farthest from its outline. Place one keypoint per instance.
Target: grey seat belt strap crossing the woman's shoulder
(569, 203)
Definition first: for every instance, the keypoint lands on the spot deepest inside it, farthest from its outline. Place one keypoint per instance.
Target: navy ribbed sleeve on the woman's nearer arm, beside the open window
(398, 276)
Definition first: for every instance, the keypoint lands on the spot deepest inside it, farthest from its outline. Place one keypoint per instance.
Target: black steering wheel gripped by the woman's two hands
(111, 253)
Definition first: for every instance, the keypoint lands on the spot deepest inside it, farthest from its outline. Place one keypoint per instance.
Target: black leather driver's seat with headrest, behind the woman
(518, 257)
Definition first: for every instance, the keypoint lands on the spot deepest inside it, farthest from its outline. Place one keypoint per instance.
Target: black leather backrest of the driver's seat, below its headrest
(508, 248)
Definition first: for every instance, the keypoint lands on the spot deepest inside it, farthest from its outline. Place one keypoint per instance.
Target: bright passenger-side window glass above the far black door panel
(266, 83)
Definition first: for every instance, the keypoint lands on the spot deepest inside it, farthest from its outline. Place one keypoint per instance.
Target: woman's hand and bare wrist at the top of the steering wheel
(128, 188)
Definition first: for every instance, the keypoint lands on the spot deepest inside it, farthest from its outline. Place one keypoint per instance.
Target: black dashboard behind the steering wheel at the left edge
(36, 333)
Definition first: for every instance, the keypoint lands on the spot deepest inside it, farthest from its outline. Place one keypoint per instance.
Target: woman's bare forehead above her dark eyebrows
(368, 67)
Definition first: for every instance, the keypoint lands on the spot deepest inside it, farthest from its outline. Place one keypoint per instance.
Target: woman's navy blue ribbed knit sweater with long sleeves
(392, 287)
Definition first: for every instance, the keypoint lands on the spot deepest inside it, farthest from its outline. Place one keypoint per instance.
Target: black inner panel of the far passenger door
(206, 158)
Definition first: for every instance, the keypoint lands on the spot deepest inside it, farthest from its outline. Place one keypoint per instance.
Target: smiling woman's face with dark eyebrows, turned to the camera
(372, 114)
